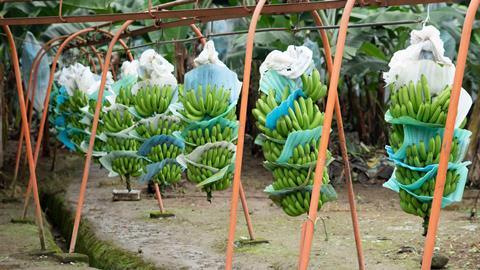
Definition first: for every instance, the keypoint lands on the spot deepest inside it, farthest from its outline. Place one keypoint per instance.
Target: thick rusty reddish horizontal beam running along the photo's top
(231, 12)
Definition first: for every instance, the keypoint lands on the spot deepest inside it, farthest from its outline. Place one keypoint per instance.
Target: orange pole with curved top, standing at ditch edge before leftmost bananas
(96, 116)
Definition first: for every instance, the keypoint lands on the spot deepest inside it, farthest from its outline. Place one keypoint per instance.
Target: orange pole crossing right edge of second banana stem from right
(331, 100)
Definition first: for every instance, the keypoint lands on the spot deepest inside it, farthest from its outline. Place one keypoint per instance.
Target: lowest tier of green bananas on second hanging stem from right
(298, 202)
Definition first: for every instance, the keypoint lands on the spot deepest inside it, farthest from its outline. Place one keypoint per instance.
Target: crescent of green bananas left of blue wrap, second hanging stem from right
(264, 105)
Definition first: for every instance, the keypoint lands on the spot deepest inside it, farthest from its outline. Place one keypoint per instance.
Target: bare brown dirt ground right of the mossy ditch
(196, 238)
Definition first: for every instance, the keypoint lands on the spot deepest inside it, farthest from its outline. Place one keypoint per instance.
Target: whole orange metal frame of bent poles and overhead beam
(331, 105)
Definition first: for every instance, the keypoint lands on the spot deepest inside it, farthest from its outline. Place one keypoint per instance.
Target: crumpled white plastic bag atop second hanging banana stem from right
(291, 63)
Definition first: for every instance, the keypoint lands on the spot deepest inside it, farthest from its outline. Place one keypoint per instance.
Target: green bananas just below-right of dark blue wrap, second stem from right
(305, 115)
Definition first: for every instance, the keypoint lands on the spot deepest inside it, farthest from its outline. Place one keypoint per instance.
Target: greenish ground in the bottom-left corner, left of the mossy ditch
(19, 243)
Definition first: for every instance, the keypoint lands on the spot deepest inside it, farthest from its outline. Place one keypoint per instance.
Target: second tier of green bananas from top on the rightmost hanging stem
(421, 154)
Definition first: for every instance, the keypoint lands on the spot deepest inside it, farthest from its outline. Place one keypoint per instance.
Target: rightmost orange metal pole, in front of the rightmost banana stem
(448, 135)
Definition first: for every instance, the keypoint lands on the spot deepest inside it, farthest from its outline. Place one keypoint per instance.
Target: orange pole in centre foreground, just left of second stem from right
(241, 133)
